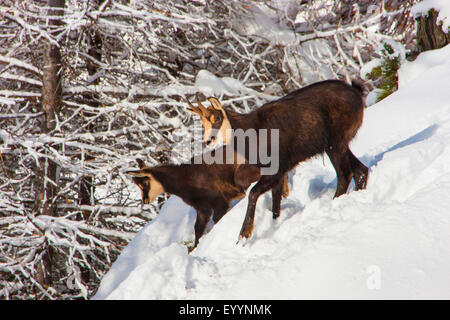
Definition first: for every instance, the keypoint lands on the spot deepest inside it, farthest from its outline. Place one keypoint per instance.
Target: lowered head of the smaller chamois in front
(150, 187)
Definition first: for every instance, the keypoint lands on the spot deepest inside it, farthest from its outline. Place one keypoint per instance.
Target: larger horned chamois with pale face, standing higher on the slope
(322, 117)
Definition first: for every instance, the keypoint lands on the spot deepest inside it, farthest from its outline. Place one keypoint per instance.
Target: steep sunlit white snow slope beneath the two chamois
(390, 241)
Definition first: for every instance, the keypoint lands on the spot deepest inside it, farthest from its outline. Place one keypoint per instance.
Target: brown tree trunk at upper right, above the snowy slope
(429, 33)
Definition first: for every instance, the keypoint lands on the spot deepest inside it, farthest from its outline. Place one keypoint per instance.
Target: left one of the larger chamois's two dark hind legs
(341, 163)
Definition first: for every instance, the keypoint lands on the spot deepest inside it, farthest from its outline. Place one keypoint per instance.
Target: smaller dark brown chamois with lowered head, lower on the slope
(208, 188)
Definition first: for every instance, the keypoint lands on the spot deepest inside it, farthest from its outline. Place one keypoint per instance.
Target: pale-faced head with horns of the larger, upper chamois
(214, 121)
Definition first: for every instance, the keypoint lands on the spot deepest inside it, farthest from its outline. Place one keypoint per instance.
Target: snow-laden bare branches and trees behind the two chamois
(86, 87)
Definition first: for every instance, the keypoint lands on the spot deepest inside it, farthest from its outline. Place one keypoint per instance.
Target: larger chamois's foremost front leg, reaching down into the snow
(264, 184)
